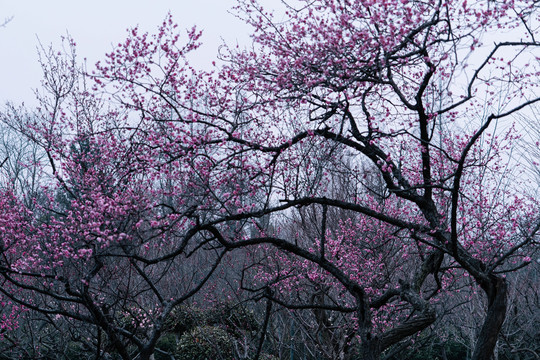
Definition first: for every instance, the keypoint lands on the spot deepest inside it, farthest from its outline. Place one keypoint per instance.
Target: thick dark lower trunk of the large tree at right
(496, 312)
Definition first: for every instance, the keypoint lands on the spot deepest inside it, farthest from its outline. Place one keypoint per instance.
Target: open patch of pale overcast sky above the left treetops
(95, 26)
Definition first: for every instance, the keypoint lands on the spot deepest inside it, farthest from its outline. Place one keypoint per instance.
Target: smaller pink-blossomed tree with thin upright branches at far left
(72, 253)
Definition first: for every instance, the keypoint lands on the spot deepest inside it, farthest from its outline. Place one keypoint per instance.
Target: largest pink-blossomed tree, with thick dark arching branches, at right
(391, 82)
